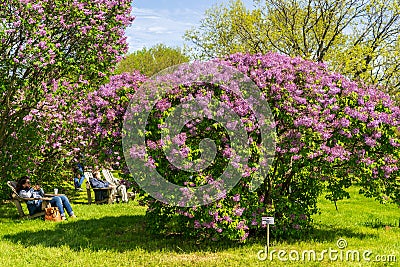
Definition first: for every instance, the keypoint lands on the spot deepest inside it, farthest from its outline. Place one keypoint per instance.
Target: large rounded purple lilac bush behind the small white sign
(332, 133)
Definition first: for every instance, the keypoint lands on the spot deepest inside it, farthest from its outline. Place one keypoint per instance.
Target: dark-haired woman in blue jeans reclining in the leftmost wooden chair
(25, 190)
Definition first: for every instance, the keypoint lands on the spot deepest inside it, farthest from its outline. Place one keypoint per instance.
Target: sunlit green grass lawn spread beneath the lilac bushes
(114, 235)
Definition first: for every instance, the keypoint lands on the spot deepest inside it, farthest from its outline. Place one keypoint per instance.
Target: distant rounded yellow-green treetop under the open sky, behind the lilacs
(151, 61)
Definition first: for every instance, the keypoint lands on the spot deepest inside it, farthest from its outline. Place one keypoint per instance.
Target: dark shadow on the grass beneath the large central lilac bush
(126, 233)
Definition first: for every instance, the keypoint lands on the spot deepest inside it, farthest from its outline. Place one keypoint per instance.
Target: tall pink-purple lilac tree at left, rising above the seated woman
(51, 54)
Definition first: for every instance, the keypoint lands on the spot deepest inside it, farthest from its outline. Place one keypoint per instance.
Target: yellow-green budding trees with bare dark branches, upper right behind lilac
(360, 39)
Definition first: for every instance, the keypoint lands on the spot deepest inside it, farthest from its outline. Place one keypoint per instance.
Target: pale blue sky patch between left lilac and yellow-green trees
(165, 21)
